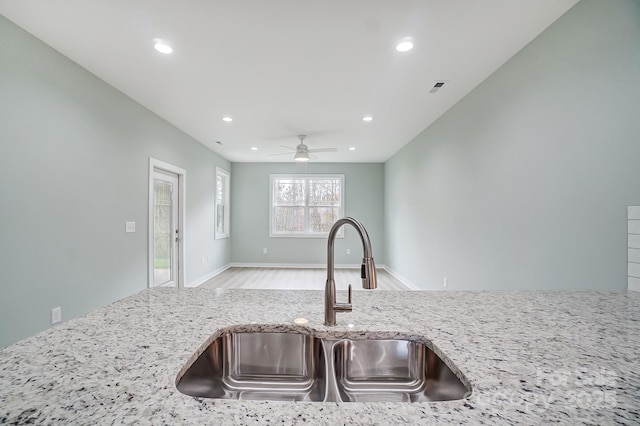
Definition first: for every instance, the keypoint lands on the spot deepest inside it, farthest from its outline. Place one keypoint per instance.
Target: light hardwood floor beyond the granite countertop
(296, 279)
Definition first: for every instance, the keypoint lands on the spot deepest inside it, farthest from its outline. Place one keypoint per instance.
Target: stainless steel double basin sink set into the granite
(293, 366)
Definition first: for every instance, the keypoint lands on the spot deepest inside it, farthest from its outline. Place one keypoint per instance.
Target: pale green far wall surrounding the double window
(364, 200)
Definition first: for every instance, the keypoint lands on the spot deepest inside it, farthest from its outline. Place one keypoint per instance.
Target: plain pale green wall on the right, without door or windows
(525, 183)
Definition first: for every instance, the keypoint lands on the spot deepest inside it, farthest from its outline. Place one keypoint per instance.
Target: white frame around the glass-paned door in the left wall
(155, 164)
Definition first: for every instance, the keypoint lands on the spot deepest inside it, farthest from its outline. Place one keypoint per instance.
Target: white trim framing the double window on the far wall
(306, 177)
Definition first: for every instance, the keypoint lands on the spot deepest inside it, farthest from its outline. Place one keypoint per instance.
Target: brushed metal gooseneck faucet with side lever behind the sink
(367, 271)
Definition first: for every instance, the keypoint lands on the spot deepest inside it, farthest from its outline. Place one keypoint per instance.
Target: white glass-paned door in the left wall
(166, 229)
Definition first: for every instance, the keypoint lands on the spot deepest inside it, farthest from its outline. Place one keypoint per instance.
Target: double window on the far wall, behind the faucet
(305, 205)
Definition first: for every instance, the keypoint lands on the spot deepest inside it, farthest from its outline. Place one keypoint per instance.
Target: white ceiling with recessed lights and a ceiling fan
(284, 67)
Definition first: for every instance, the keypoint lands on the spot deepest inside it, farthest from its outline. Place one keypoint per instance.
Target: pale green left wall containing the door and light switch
(74, 163)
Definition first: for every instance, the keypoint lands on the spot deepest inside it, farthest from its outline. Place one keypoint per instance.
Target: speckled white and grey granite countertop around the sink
(530, 357)
